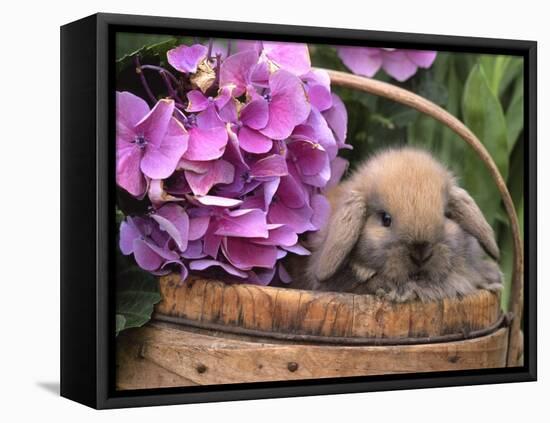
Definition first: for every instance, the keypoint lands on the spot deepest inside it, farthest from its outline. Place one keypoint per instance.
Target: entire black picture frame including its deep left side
(87, 211)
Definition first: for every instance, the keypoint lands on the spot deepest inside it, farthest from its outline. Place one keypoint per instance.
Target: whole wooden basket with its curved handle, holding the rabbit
(207, 332)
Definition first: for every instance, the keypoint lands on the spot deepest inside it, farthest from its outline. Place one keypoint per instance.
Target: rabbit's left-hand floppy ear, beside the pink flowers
(342, 232)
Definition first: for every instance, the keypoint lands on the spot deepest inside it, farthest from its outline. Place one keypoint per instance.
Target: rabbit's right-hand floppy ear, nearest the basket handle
(466, 213)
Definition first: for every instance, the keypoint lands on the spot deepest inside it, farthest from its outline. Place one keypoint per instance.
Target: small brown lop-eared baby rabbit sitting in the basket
(401, 228)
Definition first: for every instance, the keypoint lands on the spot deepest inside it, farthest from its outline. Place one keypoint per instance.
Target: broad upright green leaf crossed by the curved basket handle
(483, 114)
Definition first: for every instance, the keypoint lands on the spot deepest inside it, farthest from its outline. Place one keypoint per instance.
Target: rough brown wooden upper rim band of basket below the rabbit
(291, 311)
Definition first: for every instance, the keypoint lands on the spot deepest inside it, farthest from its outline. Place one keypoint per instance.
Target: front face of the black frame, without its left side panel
(107, 398)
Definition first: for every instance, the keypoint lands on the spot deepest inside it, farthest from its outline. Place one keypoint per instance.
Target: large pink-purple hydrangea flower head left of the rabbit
(234, 164)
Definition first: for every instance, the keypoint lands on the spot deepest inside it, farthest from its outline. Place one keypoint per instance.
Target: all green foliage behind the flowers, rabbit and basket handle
(484, 91)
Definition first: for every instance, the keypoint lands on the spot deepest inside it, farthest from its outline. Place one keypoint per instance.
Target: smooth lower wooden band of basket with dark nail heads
(163, 355)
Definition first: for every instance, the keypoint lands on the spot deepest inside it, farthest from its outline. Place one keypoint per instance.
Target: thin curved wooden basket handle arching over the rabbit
(408, 98)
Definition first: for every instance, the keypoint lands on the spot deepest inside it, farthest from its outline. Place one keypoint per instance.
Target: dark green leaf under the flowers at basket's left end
(136, 294)
